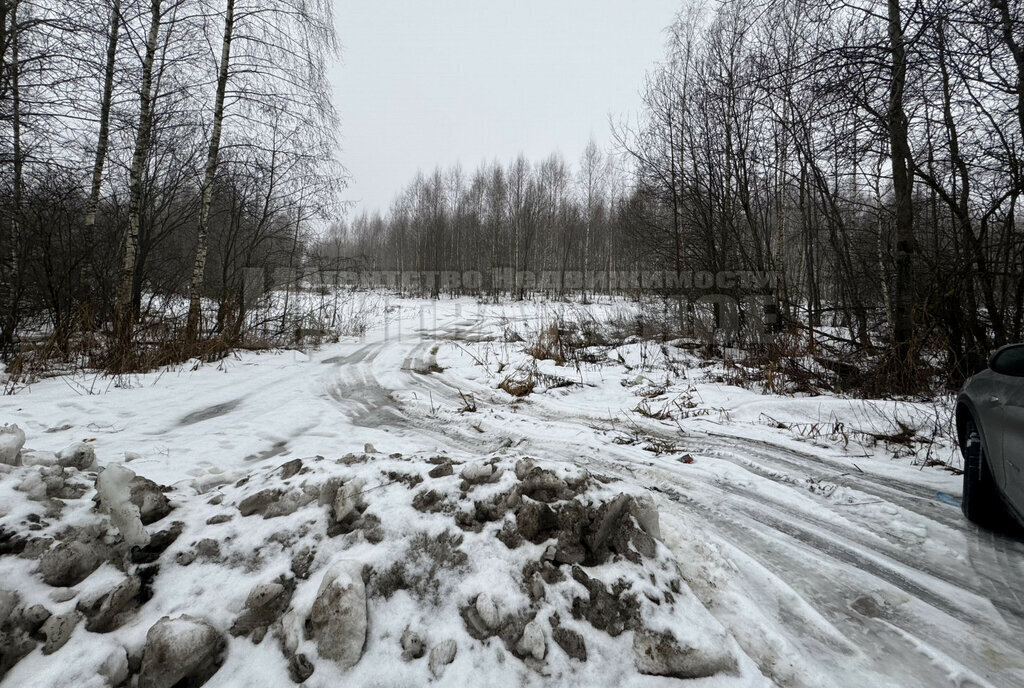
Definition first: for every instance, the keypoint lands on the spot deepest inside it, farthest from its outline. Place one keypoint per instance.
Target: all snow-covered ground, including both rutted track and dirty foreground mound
(794, 545)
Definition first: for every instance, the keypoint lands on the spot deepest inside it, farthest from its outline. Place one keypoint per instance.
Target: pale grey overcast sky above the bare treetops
(434, 82)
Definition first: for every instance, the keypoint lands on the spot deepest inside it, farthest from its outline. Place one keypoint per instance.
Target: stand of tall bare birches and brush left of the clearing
(151, 151)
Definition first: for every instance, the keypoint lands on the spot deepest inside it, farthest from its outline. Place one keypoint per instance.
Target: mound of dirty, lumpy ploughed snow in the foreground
(370, 570)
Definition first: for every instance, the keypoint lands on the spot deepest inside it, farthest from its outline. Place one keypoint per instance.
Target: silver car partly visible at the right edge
(991, 431)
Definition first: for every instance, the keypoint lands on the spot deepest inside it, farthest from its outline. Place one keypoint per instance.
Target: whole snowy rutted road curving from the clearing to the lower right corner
(889, 581)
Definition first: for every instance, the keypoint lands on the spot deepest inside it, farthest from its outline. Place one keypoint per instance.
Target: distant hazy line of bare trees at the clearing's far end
(522, 218)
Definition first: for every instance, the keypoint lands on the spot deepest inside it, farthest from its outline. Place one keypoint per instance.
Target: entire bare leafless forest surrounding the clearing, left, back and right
(867, 155)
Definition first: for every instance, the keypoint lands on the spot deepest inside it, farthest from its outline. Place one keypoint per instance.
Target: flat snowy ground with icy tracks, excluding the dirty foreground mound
(830, 562)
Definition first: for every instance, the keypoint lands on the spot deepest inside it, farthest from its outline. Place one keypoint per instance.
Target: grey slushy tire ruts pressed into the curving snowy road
(749, 520)
